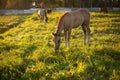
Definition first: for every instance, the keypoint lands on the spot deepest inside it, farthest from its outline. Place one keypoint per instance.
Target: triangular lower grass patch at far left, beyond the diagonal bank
(8, 22)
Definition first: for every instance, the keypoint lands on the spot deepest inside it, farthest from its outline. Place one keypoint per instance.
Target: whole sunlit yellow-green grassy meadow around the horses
(26, 49)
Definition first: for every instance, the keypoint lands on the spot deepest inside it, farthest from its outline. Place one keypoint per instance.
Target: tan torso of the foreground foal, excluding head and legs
(75, 18)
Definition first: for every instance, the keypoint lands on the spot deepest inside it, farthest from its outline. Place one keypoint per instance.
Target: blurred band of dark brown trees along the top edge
(24, 4)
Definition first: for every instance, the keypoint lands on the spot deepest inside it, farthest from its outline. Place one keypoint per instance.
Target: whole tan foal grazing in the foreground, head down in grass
(69, 20)
